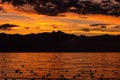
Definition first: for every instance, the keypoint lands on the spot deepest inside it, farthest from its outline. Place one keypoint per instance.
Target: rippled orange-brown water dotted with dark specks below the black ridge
(59, 66)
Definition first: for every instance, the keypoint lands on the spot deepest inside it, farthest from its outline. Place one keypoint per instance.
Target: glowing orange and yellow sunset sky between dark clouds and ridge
(29, 21)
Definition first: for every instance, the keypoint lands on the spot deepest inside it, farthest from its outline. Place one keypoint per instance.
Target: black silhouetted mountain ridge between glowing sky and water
(58, 42)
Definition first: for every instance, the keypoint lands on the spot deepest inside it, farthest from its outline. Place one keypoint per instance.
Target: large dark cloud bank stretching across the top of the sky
(54, 7)
